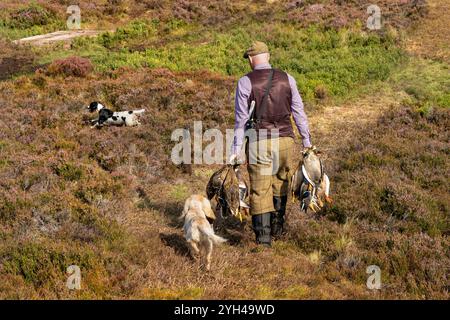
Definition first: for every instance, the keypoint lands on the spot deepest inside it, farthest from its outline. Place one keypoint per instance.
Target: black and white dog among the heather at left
(108, 117)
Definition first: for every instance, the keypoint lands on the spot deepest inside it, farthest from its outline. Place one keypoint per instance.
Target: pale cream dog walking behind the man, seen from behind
(198, 232)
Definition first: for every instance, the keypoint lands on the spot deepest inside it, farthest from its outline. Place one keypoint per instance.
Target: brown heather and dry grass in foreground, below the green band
(113, 193)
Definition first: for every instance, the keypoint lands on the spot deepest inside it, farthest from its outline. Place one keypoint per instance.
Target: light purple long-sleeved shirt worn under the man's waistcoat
(241, 112)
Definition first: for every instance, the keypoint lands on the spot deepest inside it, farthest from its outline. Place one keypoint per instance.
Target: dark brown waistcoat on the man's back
(278, 106)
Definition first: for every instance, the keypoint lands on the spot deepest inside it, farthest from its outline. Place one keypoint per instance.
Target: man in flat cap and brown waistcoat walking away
(268, 191)
